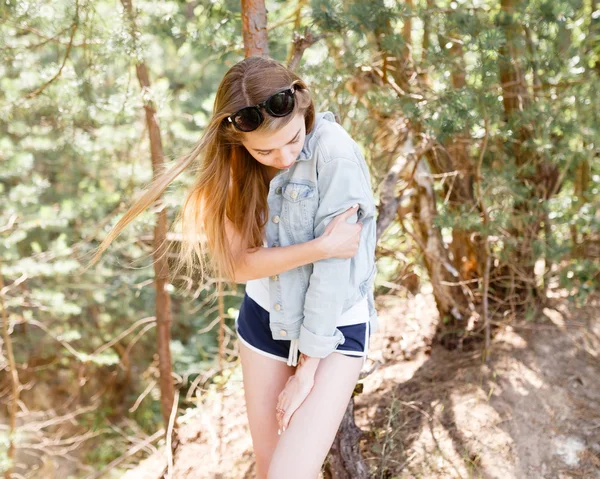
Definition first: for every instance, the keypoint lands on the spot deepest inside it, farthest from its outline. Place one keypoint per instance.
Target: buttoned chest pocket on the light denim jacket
(299, 208)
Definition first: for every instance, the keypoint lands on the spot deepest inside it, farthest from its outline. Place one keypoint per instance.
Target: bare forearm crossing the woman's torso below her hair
(270, 261)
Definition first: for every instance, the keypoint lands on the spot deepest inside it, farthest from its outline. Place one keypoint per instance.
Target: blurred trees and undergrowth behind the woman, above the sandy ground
(480, 122)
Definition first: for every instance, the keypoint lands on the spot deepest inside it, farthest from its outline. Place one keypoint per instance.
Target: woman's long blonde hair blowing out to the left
(229, 181)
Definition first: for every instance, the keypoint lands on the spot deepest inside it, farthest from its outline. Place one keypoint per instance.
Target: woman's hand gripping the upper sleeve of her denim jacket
(341, 239)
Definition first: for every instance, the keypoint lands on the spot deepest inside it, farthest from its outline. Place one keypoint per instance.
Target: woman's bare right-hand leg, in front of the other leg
(304, 445)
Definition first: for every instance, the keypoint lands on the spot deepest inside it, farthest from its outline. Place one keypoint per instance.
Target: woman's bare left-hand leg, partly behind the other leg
(264, 378)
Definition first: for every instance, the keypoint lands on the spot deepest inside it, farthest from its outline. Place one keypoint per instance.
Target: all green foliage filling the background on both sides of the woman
(74, 154)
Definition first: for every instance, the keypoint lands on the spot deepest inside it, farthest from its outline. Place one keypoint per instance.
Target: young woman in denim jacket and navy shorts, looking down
(284, 199)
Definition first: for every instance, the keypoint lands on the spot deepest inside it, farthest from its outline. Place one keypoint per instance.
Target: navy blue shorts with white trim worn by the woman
(252, 326)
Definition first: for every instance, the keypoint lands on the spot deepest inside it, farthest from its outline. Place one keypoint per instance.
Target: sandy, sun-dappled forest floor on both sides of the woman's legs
(531, 411)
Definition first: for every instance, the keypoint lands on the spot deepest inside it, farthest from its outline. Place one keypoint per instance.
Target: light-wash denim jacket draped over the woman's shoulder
(328, 177)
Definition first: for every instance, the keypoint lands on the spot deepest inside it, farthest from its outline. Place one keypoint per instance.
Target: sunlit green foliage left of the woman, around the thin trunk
(74, 155)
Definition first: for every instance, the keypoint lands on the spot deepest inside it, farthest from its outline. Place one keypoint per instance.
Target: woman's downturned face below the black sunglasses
(279, 149)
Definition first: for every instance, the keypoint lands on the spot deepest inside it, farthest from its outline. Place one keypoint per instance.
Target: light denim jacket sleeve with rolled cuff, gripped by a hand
(341, 184)
